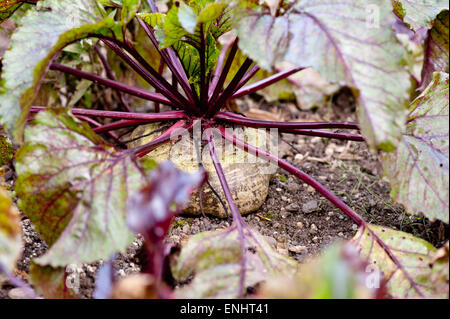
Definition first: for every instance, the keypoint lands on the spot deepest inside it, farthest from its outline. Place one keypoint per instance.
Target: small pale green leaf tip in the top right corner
(419, 13)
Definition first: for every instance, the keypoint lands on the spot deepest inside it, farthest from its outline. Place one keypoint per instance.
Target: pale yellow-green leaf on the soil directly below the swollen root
(215, 258)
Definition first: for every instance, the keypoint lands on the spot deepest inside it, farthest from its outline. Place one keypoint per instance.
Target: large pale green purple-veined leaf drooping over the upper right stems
(347, 44)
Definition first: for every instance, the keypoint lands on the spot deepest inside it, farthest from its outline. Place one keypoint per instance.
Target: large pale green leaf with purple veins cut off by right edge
(418, 169)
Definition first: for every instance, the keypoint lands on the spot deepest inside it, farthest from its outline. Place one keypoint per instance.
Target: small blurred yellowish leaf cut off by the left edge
(10, 232)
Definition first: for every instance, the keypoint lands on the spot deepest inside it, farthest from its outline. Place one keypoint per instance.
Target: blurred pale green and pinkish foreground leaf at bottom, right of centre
(338, 273)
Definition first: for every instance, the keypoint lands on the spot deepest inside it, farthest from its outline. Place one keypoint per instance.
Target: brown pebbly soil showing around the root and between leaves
(293, 215)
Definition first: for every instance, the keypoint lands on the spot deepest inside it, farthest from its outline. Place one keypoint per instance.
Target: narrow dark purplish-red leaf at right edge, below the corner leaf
(436, 49)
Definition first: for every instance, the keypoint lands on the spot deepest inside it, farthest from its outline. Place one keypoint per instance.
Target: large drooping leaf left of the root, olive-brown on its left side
(75, 189)
